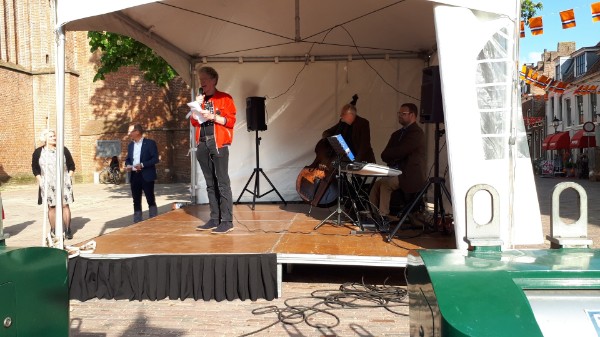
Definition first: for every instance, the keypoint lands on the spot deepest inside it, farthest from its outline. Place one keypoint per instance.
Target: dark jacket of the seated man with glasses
(406, 151)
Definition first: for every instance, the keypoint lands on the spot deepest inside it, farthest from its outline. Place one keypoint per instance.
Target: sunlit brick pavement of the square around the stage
(99, 209)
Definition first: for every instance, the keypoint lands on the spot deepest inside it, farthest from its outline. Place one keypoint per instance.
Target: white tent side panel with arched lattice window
(486, 139)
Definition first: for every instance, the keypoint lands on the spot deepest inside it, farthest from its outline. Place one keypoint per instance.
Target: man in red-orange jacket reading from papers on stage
(214, 133)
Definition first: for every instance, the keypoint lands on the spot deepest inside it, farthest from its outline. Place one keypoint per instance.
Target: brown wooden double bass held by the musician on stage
(316, 183)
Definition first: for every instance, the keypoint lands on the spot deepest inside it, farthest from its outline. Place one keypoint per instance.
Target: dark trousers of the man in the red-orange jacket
(215, 167)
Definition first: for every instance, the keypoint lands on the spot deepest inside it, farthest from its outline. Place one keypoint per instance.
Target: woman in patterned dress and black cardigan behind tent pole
(43, 166)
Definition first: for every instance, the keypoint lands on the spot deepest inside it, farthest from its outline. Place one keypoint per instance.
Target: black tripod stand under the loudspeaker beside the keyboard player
(439, 186)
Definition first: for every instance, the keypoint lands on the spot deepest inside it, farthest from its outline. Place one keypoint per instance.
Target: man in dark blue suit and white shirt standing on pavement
(142, 156)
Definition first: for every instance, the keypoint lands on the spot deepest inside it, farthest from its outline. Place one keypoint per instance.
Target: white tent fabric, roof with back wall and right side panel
(309, 57)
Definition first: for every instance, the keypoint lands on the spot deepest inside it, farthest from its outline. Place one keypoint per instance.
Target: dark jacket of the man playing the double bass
(361, 138)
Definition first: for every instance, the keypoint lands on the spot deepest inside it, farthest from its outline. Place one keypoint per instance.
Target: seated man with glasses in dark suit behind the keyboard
(405, 151)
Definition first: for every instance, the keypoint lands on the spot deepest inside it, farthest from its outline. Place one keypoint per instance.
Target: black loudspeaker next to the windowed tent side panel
(432, 110)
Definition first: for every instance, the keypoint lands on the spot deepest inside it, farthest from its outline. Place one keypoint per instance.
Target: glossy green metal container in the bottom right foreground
(487, 292)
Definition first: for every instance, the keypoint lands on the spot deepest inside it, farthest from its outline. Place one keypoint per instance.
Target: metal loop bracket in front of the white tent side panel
(488, 234)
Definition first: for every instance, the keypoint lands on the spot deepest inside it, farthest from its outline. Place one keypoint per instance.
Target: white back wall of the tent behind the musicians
(297, 119)
